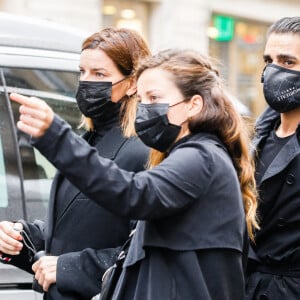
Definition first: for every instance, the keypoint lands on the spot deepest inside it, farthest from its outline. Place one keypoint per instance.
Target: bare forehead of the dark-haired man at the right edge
(288, 44)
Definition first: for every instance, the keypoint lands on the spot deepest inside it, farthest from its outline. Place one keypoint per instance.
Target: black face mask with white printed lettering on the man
(281, 88)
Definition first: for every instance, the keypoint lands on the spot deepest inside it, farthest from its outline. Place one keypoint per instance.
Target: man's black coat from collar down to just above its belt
(278, 241)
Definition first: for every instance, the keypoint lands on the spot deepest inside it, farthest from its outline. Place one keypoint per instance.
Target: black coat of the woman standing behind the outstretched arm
(81, 226)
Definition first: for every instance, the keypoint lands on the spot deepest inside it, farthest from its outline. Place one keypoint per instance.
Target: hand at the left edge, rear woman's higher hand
(10, 238)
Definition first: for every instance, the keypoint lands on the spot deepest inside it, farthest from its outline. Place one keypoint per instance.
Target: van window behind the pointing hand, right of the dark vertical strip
(58, 89)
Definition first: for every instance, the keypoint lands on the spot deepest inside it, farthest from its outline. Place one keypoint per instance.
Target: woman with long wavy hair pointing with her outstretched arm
(196, 202)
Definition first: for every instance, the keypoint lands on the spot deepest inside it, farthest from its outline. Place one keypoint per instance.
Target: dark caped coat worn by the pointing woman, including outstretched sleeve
(189, 243)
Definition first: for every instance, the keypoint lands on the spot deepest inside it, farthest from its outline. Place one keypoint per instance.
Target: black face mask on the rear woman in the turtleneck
(94, 99)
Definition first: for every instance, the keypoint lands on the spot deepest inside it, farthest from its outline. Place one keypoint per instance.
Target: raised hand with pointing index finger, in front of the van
(36, 115)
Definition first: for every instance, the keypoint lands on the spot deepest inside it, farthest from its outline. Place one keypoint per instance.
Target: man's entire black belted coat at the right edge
(277, 247)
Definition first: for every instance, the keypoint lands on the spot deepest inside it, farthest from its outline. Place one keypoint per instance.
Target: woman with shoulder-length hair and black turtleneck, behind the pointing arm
(80, 235)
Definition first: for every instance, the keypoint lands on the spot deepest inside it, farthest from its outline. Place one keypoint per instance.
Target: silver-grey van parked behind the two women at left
(37, 58)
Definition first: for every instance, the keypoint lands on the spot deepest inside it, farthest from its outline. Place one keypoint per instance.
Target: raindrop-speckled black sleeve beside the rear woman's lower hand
(81, 272)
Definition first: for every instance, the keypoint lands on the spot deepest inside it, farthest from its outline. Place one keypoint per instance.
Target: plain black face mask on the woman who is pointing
(153, 127)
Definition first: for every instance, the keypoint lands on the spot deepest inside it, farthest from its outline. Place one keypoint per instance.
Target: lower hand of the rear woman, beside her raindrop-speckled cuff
(45, 271)
